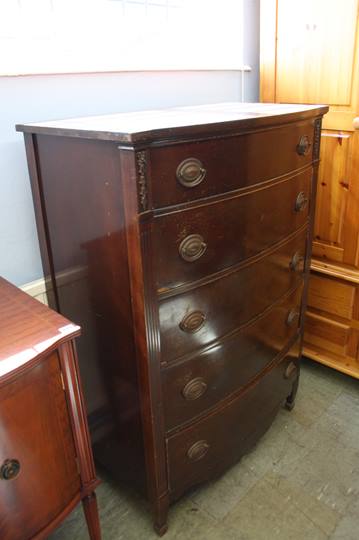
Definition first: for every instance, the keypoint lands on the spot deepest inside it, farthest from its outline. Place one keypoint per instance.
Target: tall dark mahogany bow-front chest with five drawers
(180, 241)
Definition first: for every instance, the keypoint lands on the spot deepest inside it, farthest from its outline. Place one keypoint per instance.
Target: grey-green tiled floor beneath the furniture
(300, 482)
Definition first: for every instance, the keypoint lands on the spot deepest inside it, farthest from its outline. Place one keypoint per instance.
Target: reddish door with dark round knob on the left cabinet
(37, 439)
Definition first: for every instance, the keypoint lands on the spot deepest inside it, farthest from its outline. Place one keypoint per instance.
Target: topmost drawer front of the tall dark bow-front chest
(189, 171)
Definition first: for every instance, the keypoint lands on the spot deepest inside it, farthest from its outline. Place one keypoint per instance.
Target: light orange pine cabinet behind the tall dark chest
(310, 53)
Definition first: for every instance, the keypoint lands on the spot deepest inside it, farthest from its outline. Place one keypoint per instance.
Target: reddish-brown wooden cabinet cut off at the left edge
(46, 464)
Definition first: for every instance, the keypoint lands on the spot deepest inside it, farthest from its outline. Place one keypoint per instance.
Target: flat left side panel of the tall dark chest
(84, 205)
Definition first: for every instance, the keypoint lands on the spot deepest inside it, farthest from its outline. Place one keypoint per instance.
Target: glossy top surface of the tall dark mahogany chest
(154, 125)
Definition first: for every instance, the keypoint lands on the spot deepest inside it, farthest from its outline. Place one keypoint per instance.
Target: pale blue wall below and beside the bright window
(36, 98)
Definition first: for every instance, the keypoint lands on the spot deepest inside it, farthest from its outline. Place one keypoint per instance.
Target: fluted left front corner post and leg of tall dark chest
(145, 315)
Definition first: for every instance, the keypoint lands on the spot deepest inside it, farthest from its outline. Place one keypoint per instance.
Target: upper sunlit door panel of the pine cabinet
(316, 34)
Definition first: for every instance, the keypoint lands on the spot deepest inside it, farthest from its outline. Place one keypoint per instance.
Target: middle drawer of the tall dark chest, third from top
(201, 315)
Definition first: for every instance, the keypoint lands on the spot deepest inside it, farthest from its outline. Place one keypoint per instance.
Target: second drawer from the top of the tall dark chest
(191, 244)
